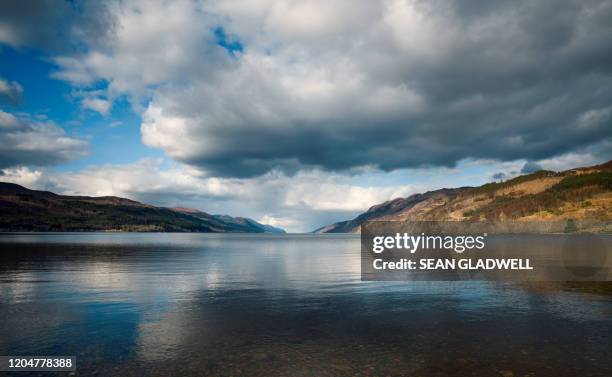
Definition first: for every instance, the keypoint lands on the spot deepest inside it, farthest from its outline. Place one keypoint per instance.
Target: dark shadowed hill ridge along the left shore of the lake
(22, 209)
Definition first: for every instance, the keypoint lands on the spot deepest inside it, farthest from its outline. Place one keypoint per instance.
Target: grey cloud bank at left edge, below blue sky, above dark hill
(25, 141)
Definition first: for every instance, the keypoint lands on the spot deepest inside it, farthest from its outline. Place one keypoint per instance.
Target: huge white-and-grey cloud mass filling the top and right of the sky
(395, 84)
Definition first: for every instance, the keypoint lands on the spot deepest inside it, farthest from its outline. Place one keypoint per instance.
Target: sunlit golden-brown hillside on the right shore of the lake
(581, 193)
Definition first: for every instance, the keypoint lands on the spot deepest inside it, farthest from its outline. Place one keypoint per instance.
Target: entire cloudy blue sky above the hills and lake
(298, 113)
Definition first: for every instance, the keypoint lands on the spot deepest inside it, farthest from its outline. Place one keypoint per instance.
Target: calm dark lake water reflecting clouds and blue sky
(291, 305)
